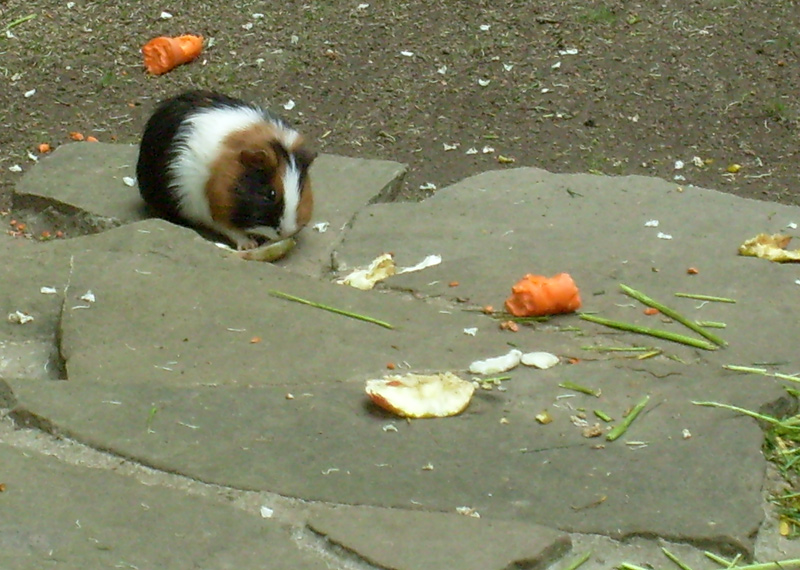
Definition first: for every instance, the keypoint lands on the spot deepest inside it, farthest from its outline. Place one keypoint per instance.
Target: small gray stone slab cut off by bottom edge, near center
(416, 540)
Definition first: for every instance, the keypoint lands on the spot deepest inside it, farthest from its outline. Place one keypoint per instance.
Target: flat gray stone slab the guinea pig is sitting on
(80, 186)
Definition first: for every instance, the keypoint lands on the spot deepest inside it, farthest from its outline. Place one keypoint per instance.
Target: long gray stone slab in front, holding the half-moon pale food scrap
(328, 443)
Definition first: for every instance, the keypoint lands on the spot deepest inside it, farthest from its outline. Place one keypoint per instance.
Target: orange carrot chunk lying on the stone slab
(536, 296)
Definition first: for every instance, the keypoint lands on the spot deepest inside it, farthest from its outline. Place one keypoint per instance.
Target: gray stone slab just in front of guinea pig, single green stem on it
(172, 308)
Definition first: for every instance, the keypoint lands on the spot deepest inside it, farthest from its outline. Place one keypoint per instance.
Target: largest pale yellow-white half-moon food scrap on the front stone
(421, 396)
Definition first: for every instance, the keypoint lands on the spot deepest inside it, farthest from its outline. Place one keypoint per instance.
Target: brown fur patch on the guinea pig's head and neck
(254, 145)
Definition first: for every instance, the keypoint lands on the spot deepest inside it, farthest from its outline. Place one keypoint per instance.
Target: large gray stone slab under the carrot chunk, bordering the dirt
(493, 228)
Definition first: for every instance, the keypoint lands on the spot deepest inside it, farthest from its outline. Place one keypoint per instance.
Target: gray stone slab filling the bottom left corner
(56, 515)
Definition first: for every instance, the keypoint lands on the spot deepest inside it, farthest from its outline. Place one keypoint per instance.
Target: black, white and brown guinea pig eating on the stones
(220, 163)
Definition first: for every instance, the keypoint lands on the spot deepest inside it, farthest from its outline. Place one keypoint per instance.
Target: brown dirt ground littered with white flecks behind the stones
(700, 92)
